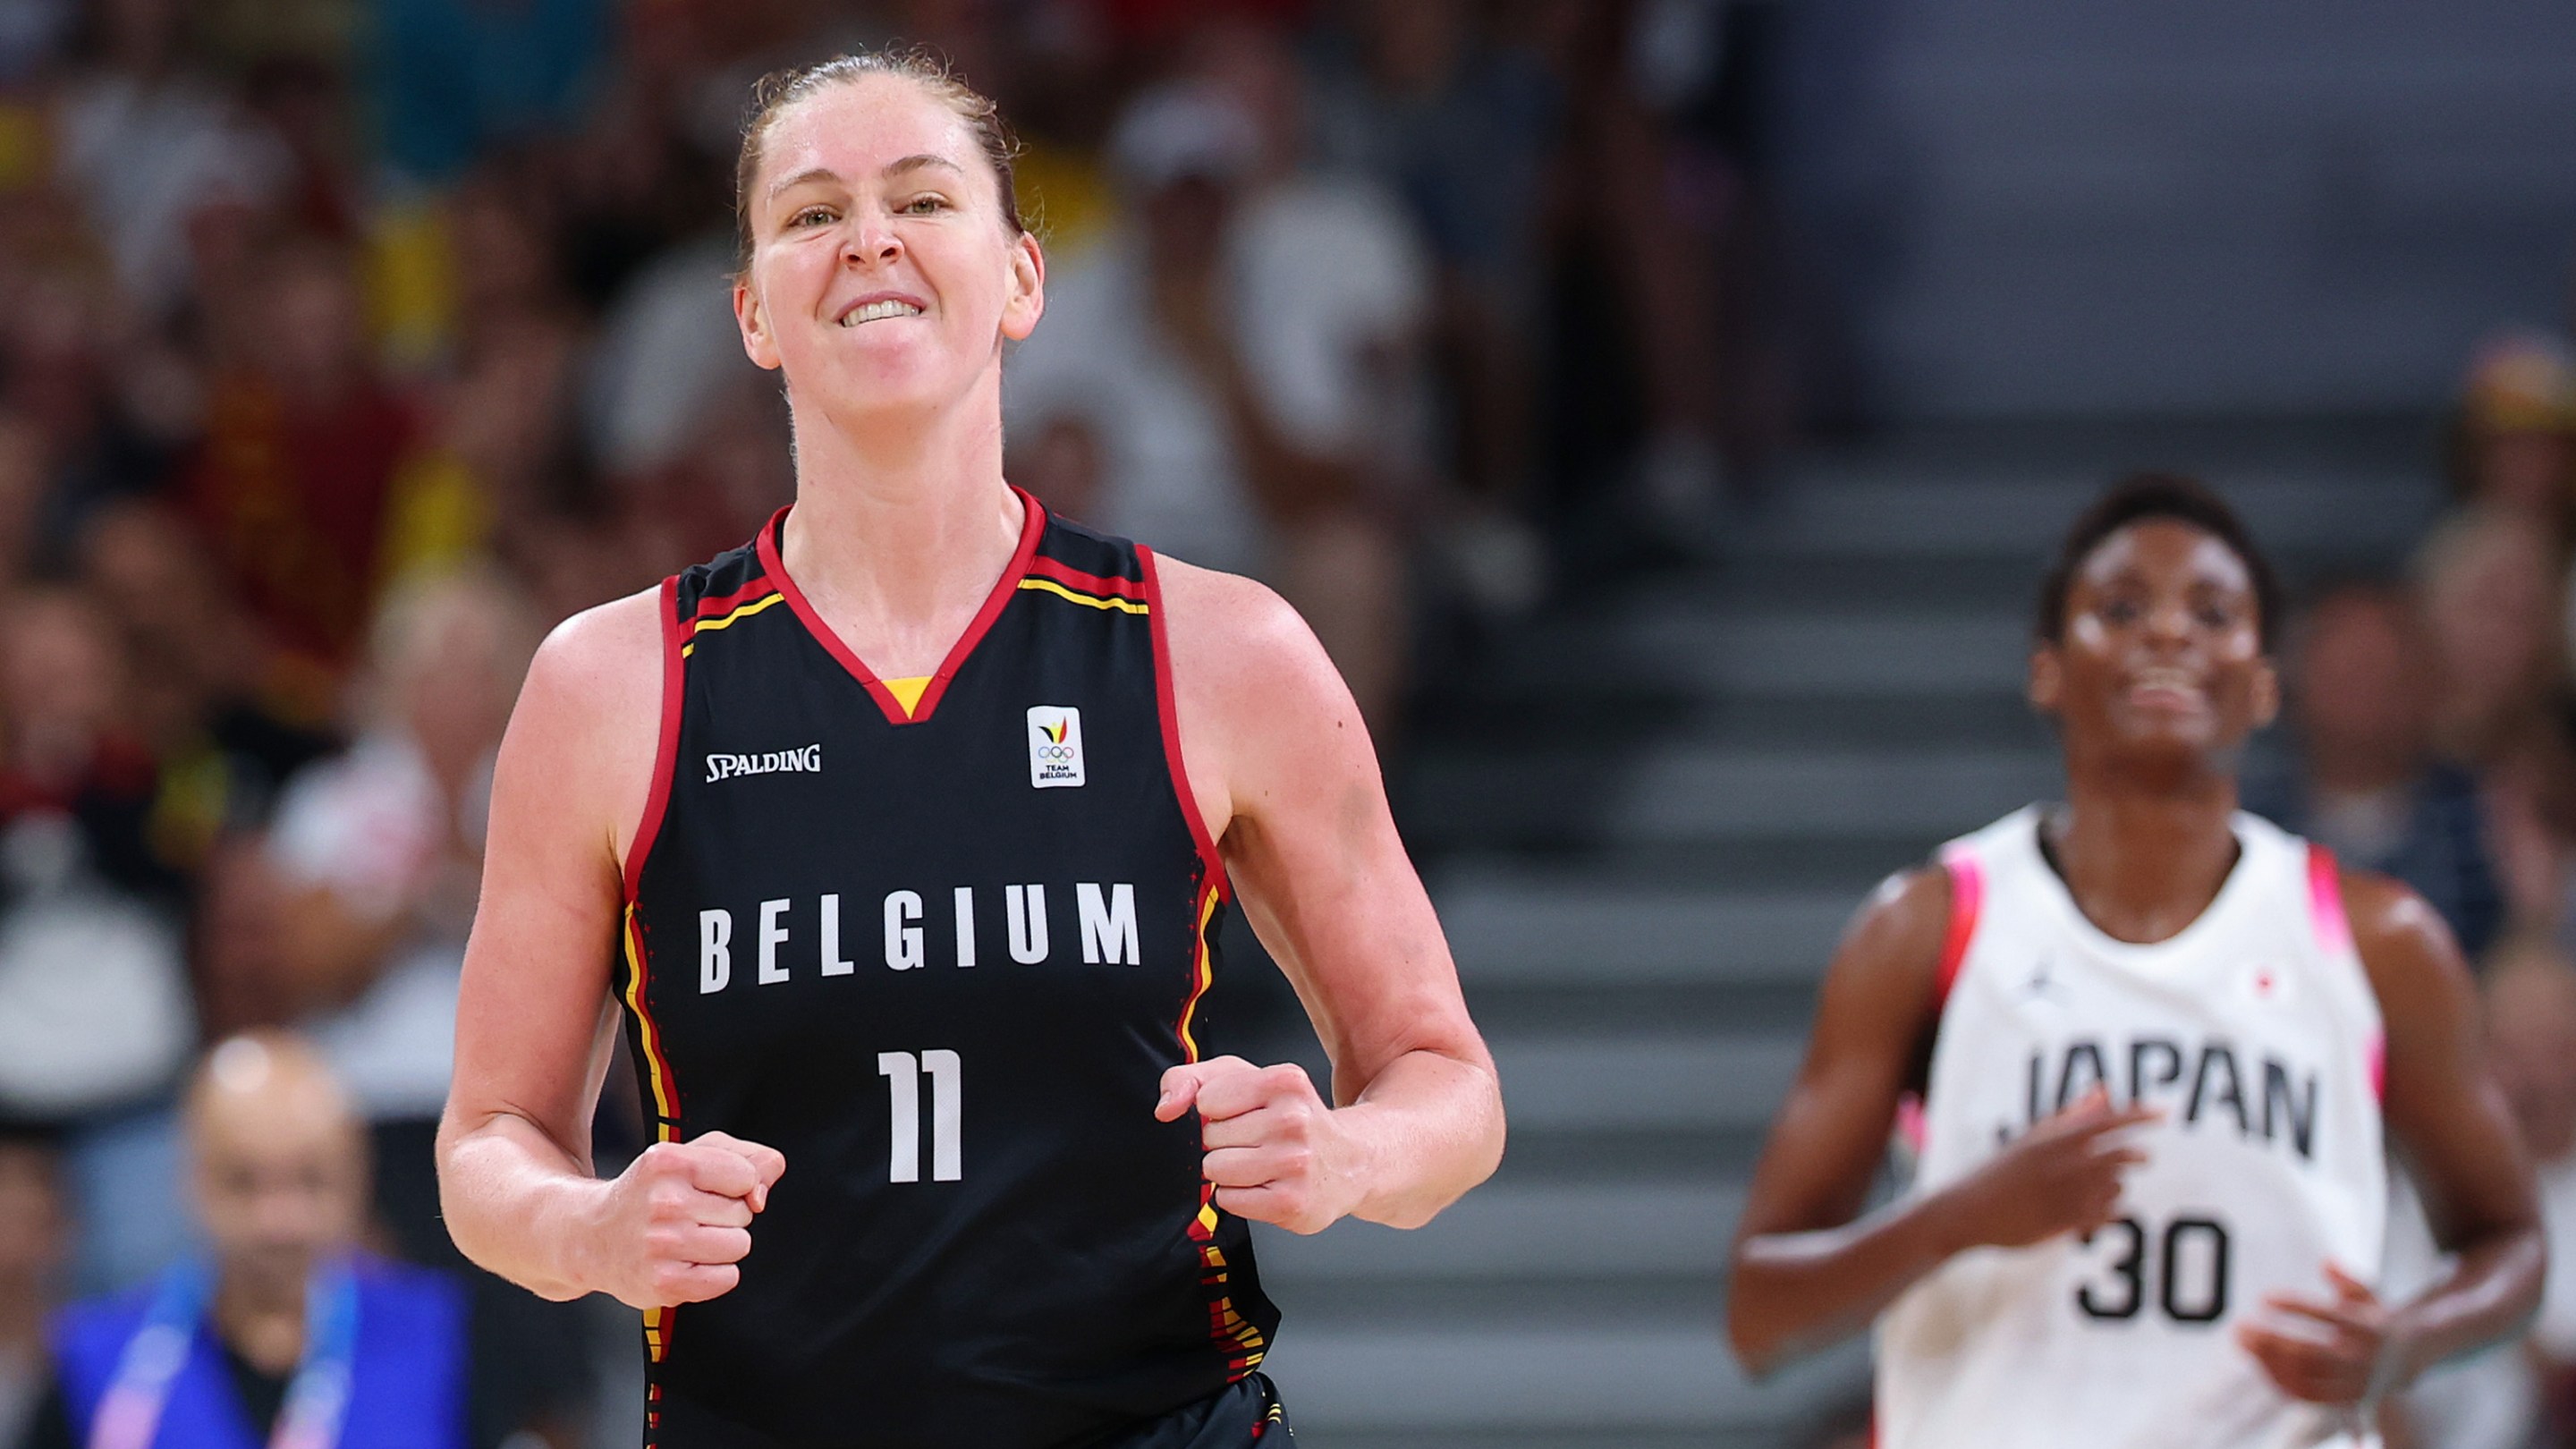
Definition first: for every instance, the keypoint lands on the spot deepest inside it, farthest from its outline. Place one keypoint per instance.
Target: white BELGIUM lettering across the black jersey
(1104, 919)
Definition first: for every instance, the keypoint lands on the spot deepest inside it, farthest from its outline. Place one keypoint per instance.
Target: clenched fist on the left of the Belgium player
(679, 1221)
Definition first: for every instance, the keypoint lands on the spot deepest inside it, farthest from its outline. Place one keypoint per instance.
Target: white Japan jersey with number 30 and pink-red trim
(2260, 1038)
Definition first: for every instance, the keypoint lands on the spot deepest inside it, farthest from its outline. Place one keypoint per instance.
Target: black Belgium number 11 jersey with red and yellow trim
(936, 942)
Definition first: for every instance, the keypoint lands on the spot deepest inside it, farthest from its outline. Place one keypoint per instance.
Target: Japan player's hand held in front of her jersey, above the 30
(2062, 1177)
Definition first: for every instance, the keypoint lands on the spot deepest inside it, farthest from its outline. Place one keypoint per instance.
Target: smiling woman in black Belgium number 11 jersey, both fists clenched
(898, 844)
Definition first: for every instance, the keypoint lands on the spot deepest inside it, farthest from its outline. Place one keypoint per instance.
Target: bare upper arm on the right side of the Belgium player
(1287, 780)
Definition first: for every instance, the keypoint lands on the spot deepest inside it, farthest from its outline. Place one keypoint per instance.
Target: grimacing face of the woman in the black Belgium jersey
(885, 277)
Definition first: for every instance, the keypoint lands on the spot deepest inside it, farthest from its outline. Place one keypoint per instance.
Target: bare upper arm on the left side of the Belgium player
(568, 798)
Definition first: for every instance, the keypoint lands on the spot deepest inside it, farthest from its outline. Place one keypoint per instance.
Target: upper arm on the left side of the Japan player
(1871, 1022)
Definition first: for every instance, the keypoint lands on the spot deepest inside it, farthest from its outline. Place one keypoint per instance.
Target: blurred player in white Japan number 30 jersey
(2155, 1045)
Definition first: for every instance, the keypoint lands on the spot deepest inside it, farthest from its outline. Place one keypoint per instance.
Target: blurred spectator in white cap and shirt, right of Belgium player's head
(1153, 347)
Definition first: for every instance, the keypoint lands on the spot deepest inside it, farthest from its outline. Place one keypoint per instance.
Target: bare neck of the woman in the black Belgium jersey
(900, 532)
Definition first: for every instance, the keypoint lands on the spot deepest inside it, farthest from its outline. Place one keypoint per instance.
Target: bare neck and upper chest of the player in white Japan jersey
(2145, 860)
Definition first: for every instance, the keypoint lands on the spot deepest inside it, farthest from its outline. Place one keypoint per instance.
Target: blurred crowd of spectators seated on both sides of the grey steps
(352, 344)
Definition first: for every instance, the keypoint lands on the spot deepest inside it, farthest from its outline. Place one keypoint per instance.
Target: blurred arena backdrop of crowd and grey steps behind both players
(1660, 409)
